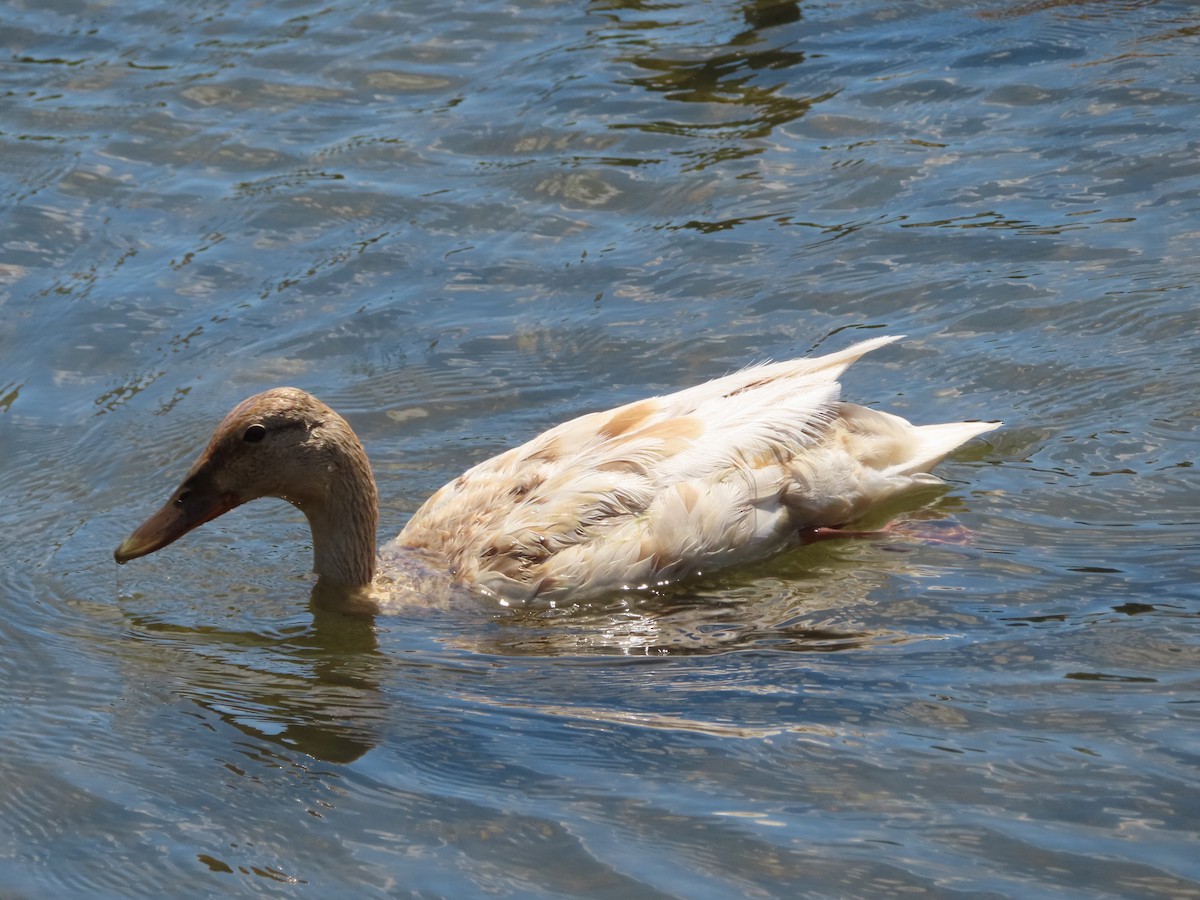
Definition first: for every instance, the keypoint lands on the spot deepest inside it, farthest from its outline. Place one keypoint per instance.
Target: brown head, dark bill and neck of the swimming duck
(280, 443)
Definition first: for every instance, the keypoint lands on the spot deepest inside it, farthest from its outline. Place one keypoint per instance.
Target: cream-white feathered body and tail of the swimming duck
(717, 475)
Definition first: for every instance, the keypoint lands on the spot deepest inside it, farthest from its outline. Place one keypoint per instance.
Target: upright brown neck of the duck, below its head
(344, 523)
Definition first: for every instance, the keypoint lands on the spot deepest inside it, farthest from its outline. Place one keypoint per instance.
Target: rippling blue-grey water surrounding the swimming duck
(460, 224)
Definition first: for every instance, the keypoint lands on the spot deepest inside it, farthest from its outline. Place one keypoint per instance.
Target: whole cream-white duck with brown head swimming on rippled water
(646, 495)
